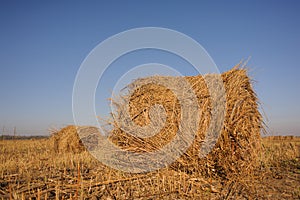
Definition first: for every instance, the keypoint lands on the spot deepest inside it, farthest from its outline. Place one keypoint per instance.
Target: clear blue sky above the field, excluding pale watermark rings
(42, 45)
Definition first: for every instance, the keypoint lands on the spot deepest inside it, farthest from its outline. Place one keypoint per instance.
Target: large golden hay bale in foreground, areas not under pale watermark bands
(237, 148)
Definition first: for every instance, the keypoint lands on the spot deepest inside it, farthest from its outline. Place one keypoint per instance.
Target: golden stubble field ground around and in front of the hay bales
(30, 169)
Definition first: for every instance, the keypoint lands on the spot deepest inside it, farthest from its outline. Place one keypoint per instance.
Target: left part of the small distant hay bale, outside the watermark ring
(67, 140)
